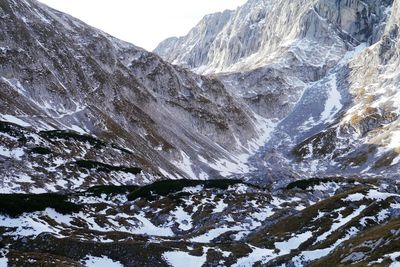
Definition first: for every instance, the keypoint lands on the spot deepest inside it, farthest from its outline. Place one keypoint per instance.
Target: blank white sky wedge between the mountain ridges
(144, 23)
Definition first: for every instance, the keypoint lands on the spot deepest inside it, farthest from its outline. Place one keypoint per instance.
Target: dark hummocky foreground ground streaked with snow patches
(333, 221)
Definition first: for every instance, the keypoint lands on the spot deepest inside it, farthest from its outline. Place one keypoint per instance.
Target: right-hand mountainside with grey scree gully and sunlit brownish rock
(362, 135)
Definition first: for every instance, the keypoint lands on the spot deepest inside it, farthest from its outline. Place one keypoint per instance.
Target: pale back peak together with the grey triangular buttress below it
(270, 51)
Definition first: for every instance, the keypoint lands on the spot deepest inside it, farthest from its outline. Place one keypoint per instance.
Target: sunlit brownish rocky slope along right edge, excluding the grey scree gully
(364, 138)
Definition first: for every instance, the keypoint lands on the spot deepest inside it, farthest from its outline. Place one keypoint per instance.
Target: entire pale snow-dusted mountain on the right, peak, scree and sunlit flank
(324, 69)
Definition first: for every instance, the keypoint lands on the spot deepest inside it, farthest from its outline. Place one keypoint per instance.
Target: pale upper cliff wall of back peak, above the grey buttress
(261, 28)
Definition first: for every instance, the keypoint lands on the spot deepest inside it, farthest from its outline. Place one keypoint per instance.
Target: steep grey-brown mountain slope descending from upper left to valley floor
(59, 74)
